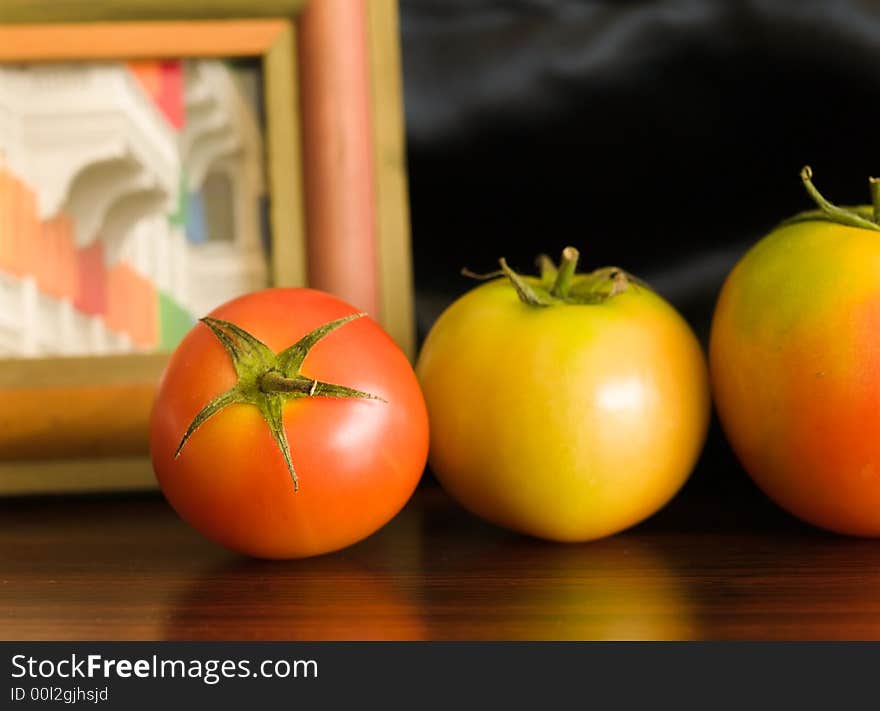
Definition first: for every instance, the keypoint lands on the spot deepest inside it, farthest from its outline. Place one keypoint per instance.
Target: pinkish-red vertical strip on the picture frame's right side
(338, 151)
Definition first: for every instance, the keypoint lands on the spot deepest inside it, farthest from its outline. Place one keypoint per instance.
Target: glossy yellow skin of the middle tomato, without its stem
(567, 422)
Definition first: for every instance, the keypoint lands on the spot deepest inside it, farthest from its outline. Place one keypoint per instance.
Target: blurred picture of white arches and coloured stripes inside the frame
(132, 199)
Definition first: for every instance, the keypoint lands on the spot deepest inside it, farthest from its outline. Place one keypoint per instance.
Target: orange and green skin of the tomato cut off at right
(795, 363)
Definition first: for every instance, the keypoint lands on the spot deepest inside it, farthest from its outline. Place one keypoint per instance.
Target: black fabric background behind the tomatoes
(663, 137)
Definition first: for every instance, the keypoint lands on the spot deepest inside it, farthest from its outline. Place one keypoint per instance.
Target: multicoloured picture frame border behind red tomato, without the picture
(81, 424)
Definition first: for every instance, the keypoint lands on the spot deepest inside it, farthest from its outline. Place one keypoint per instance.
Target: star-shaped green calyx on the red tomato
(269, 380)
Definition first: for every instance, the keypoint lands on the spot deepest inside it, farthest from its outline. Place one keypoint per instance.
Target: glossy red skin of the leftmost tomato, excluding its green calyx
(358, 461)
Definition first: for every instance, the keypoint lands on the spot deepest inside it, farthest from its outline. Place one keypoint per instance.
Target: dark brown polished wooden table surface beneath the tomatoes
(127, 568)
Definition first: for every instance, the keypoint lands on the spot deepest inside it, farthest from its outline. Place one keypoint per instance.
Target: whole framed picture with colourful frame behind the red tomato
(156, 159)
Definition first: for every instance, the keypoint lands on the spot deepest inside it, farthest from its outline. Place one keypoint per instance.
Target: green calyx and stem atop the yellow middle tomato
(562, 284)
